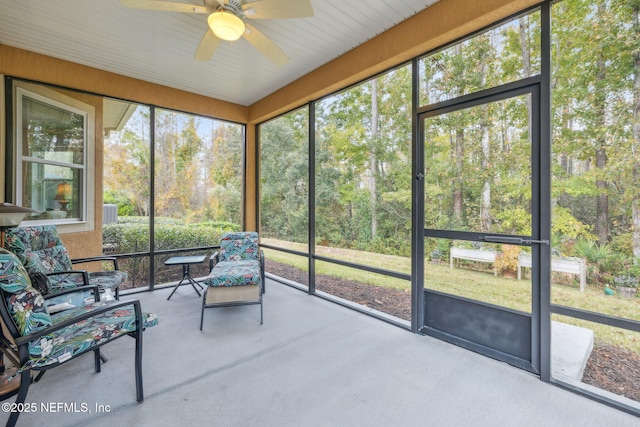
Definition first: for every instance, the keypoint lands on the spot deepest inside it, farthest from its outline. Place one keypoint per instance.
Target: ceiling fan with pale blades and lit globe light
(228, 21)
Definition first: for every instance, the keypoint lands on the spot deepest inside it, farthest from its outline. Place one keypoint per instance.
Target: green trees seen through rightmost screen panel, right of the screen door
(592, 92)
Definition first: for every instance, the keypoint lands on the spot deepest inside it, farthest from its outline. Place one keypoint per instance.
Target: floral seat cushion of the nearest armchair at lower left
(85, 335)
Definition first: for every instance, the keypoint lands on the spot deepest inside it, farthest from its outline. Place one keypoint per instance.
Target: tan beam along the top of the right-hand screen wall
(439, 24)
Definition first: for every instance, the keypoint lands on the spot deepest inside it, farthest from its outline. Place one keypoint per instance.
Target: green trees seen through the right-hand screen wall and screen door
(477, 160)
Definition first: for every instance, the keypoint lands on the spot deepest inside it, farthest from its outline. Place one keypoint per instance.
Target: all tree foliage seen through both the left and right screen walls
(478, 160)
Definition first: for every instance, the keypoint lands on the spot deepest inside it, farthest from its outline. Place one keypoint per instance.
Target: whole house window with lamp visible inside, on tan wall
(54, 141)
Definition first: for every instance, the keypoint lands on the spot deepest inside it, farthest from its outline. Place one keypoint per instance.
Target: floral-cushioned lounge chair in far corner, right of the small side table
(236, 273)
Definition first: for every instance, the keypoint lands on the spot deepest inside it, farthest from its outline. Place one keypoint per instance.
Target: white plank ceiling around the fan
(159, 46)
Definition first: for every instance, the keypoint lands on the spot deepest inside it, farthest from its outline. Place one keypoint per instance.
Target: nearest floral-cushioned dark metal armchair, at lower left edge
(35, 340)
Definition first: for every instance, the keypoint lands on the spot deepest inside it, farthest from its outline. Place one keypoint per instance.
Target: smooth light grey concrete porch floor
(312, 363)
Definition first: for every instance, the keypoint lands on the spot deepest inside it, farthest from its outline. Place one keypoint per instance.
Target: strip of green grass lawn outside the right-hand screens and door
(477, 285)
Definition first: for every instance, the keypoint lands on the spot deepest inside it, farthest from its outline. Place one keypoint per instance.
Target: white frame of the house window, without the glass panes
(87, 192)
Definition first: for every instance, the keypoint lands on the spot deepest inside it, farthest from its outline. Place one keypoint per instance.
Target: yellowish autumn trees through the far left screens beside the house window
(198, 167)
